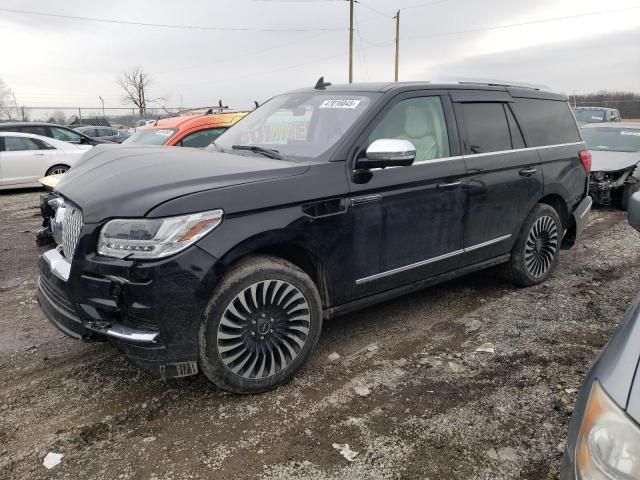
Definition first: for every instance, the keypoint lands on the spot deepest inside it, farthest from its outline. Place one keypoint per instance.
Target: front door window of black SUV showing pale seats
(419, 120)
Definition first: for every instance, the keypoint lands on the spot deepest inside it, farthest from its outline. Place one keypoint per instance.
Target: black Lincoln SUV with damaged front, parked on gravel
(320, 202)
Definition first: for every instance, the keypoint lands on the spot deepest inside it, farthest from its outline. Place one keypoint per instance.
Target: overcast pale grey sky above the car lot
(57, 61)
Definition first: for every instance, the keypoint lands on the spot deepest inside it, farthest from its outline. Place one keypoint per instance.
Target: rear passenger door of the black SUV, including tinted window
(504, 177)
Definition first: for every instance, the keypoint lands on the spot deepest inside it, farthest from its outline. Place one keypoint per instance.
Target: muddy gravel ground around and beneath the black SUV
(435, 409)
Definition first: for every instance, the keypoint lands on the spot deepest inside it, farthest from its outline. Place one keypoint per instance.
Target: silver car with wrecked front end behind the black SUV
(615, 149)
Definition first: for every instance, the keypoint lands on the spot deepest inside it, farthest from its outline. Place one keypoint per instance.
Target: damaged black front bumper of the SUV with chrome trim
(149, 311)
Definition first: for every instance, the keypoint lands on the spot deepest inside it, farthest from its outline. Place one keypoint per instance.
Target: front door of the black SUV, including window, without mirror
(408, 221)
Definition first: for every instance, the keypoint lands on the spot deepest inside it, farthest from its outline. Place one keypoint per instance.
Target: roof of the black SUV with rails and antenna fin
(516, 90)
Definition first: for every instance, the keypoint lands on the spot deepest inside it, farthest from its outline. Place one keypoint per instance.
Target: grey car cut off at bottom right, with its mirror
(603, 442)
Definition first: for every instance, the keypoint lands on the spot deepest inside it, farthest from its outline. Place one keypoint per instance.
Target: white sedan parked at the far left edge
(25, 157)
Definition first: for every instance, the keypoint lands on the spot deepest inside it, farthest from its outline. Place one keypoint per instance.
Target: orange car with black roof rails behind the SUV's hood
(185, 131)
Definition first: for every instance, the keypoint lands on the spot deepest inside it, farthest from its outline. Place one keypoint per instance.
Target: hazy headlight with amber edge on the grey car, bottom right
(609, 441)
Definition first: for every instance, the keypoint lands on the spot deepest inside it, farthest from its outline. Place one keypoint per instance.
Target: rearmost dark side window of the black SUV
(546, 122)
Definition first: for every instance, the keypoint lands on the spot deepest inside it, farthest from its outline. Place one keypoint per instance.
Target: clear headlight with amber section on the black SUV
(155, 237)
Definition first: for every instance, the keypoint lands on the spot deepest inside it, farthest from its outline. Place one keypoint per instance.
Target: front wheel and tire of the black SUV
(261, 325)
